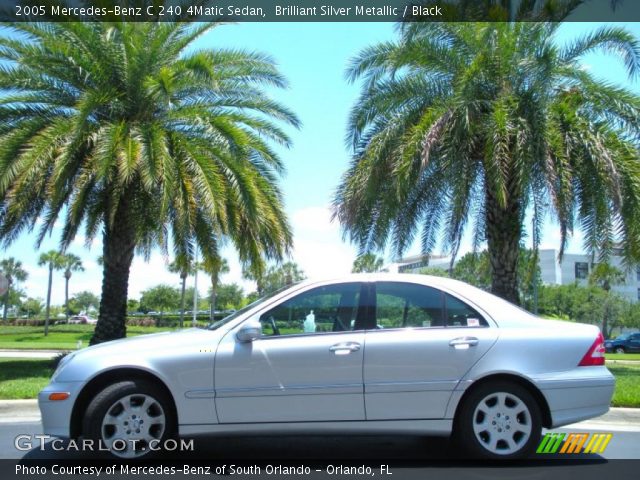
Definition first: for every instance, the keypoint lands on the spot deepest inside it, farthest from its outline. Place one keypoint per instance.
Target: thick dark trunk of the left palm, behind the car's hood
(118, 250)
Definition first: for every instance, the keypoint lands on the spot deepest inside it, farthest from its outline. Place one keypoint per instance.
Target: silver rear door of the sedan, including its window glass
(423, 343)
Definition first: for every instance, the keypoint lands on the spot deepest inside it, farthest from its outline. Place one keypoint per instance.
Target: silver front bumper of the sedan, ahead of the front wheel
(56, 415)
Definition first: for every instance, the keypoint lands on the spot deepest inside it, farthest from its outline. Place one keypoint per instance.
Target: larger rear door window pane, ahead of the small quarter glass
(406, 305)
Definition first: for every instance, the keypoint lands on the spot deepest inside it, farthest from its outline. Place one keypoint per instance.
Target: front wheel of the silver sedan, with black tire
(161, 422)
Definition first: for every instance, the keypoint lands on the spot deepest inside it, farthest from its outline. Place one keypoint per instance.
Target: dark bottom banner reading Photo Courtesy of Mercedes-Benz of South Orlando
(301, 469)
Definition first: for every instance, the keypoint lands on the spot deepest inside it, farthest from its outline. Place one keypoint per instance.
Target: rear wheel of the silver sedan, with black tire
(505, 427)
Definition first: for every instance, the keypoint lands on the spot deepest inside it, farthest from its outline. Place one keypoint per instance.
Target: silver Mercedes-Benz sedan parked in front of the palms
(381, 353)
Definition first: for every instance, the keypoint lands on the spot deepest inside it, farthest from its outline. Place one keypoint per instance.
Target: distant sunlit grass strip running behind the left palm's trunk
(61, 337)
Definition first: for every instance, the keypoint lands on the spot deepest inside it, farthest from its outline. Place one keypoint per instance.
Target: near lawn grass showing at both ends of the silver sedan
(21, 378)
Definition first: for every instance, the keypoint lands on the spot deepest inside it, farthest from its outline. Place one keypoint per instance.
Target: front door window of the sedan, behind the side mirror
(333, 308)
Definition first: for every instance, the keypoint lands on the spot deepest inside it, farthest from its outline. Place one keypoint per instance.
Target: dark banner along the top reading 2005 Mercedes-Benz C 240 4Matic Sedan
(318, 10)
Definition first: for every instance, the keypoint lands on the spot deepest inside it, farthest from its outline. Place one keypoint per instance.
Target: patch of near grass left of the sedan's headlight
(22, 378)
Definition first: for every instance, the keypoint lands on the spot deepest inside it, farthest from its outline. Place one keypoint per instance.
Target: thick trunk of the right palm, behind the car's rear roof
(503, 231)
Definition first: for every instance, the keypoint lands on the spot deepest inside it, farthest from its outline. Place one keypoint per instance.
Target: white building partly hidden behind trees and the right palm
(575, 267)
